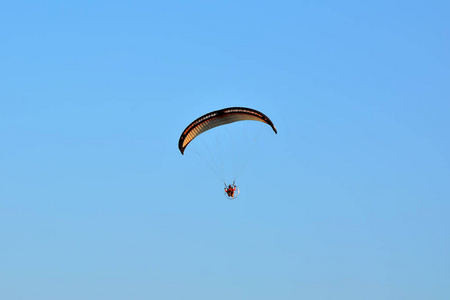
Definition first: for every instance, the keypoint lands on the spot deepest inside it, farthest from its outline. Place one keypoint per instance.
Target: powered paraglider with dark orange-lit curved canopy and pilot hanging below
(219, 118)
